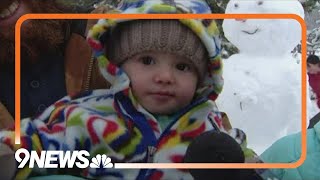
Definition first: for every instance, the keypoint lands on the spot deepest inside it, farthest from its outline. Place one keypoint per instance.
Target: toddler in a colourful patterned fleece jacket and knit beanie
(165, 76)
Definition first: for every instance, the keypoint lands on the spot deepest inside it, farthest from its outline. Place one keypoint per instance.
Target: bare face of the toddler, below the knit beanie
(163, 83)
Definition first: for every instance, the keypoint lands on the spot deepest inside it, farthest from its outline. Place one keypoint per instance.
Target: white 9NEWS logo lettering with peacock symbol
(61, 159)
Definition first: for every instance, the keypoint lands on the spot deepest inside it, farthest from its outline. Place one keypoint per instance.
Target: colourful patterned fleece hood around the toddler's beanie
(205, 29)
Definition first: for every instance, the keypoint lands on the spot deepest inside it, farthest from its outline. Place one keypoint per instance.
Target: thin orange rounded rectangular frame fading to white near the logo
(172, 16)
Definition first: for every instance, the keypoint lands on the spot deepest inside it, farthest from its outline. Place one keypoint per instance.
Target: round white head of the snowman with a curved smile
(263, 36)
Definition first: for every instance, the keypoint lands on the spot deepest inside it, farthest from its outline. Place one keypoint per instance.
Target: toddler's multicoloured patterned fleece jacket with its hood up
(113, 123)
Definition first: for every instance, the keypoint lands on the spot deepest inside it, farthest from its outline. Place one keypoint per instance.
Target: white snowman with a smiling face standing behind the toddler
(262, 91)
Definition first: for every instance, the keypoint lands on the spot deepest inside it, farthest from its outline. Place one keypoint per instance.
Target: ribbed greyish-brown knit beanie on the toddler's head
(168, 36)
